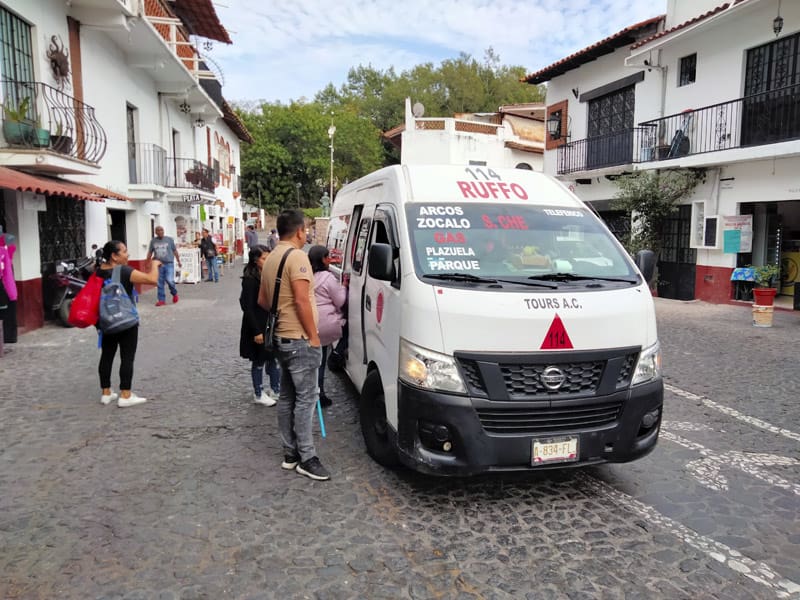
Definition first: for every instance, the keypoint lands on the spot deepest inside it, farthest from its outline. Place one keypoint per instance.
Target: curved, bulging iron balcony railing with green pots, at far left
(37, 115)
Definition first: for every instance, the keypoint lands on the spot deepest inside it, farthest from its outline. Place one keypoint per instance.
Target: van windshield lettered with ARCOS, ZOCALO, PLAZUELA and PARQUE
(518, 243)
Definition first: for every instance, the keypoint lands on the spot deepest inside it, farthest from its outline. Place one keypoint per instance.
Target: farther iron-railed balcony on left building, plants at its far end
(149, 165)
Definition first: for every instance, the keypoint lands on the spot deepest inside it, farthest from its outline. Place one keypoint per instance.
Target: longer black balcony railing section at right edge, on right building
(759, 119)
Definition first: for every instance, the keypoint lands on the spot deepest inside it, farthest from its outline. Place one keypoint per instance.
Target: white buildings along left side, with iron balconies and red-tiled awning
(129, 131)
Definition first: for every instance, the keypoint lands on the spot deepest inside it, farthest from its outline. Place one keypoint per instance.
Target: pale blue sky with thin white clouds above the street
(290, 49)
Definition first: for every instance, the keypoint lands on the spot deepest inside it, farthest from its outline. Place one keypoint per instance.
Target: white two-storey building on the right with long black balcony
(709, 86)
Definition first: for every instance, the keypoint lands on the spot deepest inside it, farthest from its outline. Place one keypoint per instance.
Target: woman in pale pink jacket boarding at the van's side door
(331, 296)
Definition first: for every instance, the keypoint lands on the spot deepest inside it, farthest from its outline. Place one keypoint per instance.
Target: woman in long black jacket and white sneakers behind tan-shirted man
(251, 340)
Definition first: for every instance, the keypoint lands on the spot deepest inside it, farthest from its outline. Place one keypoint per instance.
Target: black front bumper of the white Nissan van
(474, 450)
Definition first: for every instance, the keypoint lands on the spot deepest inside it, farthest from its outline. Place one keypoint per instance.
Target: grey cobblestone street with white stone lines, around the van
(184, 497)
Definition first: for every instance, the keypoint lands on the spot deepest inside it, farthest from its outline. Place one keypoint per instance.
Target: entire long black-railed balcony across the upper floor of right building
(757, 120)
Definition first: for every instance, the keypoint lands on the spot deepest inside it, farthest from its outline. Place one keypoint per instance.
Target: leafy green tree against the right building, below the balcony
(651, 197)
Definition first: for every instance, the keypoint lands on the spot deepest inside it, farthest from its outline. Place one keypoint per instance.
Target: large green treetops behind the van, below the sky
(292, 145)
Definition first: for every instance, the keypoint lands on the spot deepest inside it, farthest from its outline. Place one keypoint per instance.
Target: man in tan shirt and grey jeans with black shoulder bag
(299, 350)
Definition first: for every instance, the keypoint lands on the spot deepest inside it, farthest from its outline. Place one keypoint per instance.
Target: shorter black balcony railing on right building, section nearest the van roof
(610, 150)
